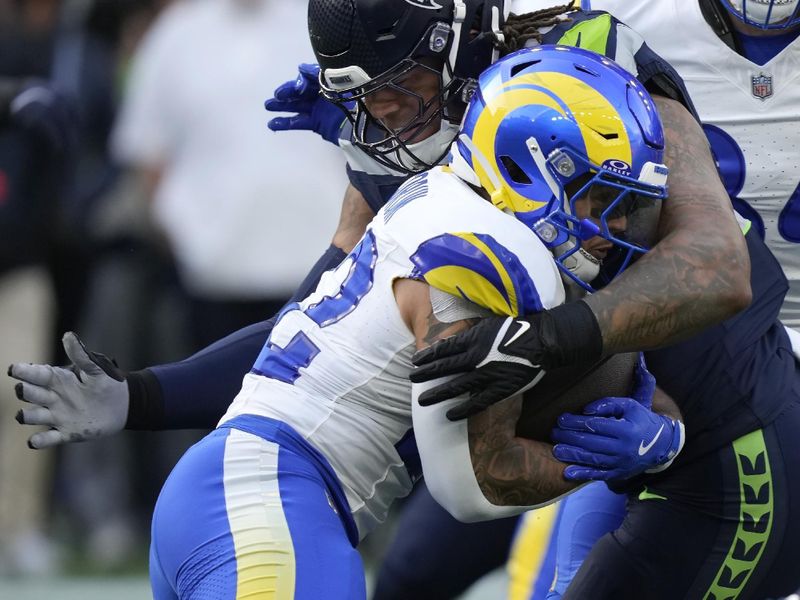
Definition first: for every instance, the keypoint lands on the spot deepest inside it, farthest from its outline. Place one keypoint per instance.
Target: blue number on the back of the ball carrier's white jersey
(284, 363)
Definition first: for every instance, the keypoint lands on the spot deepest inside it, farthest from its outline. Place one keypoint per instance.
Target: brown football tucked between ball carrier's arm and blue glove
(569, 389)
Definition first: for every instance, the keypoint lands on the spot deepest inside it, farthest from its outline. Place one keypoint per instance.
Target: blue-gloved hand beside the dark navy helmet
(314, 113)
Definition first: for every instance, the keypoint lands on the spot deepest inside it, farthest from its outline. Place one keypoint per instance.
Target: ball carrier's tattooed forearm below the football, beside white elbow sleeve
(512, 471)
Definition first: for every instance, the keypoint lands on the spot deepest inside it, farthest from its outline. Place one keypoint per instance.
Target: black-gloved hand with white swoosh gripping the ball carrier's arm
(493, 358)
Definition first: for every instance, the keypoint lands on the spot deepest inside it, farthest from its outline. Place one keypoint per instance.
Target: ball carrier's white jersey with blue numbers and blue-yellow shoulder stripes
(336, 365)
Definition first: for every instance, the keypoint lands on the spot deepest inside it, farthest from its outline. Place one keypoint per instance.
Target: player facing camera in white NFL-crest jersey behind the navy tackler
(742, 52)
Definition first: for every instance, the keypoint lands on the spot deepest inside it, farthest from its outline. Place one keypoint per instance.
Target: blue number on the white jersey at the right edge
(733, 168)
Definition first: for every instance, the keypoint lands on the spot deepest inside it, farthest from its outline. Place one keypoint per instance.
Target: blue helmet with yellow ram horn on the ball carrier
(548, 124)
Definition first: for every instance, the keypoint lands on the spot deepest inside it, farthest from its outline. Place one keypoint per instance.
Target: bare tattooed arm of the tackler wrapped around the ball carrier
(698, 273)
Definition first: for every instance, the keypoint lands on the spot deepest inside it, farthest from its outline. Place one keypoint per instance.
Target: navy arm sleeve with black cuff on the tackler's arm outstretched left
(195, 392)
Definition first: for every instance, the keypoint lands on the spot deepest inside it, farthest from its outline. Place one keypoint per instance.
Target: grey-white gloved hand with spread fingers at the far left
(86, 401)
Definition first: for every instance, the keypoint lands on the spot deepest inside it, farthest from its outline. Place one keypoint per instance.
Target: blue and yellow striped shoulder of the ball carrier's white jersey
(478, 268)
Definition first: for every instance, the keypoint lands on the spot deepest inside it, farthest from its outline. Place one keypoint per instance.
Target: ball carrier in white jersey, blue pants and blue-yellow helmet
(319, 441)
